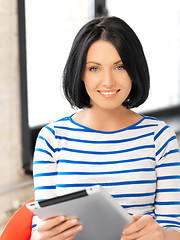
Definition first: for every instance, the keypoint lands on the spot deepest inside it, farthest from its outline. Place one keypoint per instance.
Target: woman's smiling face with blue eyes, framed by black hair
(106, 81)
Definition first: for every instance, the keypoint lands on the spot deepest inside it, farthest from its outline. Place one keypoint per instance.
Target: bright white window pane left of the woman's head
(50, 29)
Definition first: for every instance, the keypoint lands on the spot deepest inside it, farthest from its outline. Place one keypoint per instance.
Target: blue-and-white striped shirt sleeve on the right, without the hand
(167, 201)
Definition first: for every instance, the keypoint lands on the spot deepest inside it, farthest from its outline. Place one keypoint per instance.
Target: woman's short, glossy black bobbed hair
(127, 44)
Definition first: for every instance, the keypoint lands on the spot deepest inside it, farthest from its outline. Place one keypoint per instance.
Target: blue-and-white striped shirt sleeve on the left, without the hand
(44, 167)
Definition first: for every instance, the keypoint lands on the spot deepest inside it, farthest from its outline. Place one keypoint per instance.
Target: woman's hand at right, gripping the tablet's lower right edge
(143, 228)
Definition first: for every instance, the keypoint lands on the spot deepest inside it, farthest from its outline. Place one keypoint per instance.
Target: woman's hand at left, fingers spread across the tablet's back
(57, 228)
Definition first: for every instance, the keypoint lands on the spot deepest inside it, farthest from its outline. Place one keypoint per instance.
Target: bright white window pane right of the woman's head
(157, 24)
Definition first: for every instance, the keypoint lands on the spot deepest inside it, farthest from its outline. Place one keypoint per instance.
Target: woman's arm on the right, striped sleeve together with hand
(166, 225)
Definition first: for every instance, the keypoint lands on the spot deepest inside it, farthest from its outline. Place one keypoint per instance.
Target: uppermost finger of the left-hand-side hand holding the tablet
(50, 223)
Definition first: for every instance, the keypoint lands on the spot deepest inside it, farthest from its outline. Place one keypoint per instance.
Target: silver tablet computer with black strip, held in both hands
(101, 215)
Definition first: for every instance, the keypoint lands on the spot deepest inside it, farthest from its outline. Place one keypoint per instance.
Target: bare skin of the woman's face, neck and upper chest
(108, 85)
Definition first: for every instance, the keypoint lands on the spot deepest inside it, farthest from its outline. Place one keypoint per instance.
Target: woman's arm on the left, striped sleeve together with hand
(45, 173)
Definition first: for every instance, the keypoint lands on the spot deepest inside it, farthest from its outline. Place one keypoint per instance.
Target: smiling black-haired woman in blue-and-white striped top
(134, 157)
